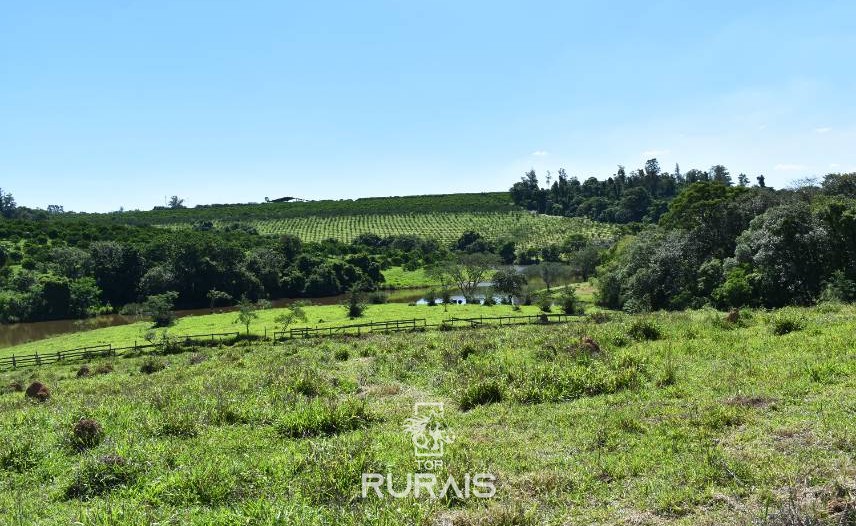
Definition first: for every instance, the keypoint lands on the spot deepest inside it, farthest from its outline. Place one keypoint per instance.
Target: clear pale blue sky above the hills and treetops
(118, 104)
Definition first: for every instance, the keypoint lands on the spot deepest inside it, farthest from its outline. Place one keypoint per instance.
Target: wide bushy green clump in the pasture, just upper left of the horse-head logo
(324, 419)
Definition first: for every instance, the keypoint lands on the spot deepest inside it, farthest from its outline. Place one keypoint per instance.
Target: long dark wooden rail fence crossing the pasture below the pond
(357, 329)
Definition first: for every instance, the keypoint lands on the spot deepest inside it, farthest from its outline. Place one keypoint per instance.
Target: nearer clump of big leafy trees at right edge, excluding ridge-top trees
(732, 246)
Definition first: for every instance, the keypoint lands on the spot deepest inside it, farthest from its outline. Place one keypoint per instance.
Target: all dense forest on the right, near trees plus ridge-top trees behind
(704, 240)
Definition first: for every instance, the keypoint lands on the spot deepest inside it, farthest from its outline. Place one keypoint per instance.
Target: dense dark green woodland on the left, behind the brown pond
(53, 269)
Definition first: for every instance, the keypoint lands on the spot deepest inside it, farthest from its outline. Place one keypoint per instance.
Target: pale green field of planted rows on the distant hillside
(444, 227)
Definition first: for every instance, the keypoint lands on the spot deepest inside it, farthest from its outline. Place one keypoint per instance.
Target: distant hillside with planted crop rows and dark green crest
(440, 217)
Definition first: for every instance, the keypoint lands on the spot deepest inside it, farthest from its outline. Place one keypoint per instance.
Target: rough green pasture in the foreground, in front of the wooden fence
(678, 419)
